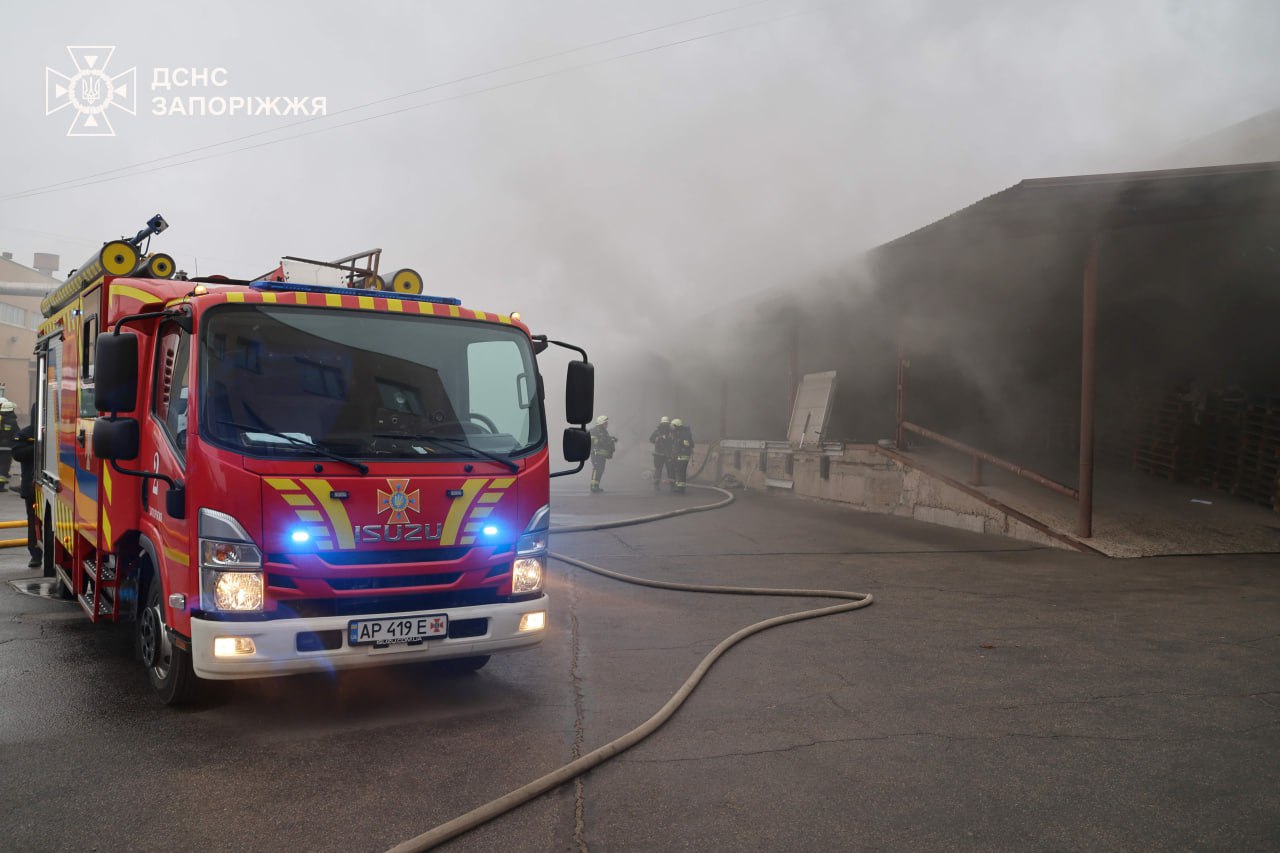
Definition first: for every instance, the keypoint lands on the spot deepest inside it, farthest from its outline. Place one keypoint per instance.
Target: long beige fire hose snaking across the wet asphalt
(519, 797)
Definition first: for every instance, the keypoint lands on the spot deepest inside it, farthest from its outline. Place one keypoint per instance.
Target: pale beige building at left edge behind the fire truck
(21, 291)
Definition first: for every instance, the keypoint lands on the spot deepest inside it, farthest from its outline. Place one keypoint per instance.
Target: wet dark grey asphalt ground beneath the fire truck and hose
(996, 696)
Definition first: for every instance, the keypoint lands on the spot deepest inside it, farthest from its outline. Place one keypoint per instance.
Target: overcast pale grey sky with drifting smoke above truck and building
(620, 186)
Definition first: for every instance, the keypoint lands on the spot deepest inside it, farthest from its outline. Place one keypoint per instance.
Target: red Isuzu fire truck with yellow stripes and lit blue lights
(269, 477)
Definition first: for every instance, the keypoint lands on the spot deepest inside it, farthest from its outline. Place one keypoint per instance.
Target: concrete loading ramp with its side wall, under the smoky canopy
(1135, 516)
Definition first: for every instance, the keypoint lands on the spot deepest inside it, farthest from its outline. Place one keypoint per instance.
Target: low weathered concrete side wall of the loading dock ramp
(867, 480)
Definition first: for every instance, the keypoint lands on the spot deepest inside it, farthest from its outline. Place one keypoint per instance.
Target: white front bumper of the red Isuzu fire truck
(276, 642)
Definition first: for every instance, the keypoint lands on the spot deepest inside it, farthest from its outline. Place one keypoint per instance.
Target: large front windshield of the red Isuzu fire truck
(284, 381)
